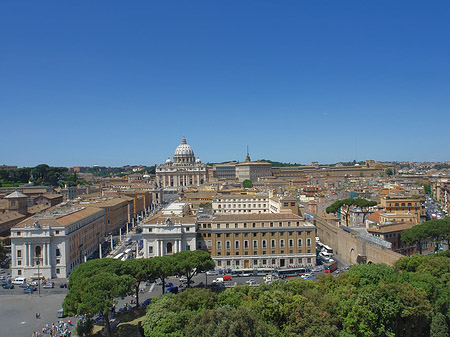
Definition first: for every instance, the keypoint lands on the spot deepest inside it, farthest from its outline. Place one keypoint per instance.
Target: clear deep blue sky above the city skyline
(120, 82)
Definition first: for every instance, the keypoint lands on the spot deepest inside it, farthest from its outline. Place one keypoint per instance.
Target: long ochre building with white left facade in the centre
(235, 241)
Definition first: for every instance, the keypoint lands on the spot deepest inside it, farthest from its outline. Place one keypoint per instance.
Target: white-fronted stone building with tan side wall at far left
(60, 239)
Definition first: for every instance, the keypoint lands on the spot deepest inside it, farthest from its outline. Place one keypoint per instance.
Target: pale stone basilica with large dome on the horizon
(183, 171)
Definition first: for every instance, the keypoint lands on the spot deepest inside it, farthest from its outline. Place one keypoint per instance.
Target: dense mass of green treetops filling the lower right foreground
(368, 300)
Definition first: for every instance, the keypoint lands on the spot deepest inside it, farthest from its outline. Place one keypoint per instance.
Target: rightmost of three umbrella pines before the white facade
(189, 263)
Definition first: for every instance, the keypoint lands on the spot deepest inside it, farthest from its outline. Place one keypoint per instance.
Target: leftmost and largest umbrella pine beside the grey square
(96, 294)
